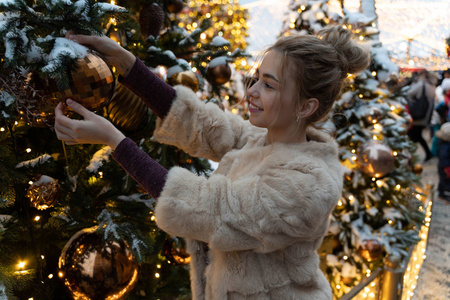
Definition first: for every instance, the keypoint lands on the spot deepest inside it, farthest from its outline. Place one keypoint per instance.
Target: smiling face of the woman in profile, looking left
(270, 103)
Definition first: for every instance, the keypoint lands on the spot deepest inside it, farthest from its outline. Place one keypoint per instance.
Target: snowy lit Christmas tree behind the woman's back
(378, 217)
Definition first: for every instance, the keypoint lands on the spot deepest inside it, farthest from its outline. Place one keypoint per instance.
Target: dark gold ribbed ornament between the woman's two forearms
(126, 110)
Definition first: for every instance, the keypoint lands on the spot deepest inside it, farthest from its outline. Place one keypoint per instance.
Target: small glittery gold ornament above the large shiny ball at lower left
(44, 192)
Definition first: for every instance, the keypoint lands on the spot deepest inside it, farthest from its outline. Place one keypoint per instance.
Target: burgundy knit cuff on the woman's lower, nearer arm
(145, 170)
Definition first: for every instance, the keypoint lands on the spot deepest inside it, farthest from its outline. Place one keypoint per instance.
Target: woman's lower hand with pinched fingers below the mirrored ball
(94, 129)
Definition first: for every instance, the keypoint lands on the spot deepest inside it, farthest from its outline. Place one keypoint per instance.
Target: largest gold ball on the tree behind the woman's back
(375, 159)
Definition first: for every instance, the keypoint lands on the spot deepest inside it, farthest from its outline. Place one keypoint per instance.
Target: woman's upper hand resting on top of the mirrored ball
(112, 52)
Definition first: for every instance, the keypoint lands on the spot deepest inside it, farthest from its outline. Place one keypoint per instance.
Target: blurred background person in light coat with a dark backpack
(415, 133)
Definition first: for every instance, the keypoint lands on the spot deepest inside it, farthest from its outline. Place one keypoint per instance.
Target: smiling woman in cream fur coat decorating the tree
(265, 210)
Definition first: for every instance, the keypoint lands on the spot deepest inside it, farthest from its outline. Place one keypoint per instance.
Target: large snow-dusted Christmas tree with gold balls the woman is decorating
(73, 224)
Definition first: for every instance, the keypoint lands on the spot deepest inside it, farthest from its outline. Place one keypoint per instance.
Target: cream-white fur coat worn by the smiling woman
(263, 213)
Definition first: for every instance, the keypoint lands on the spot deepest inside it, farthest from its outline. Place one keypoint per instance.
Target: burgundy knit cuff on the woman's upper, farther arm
(156, 93)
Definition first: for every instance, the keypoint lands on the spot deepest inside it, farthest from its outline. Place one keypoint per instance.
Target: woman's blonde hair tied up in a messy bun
(320, 65)
